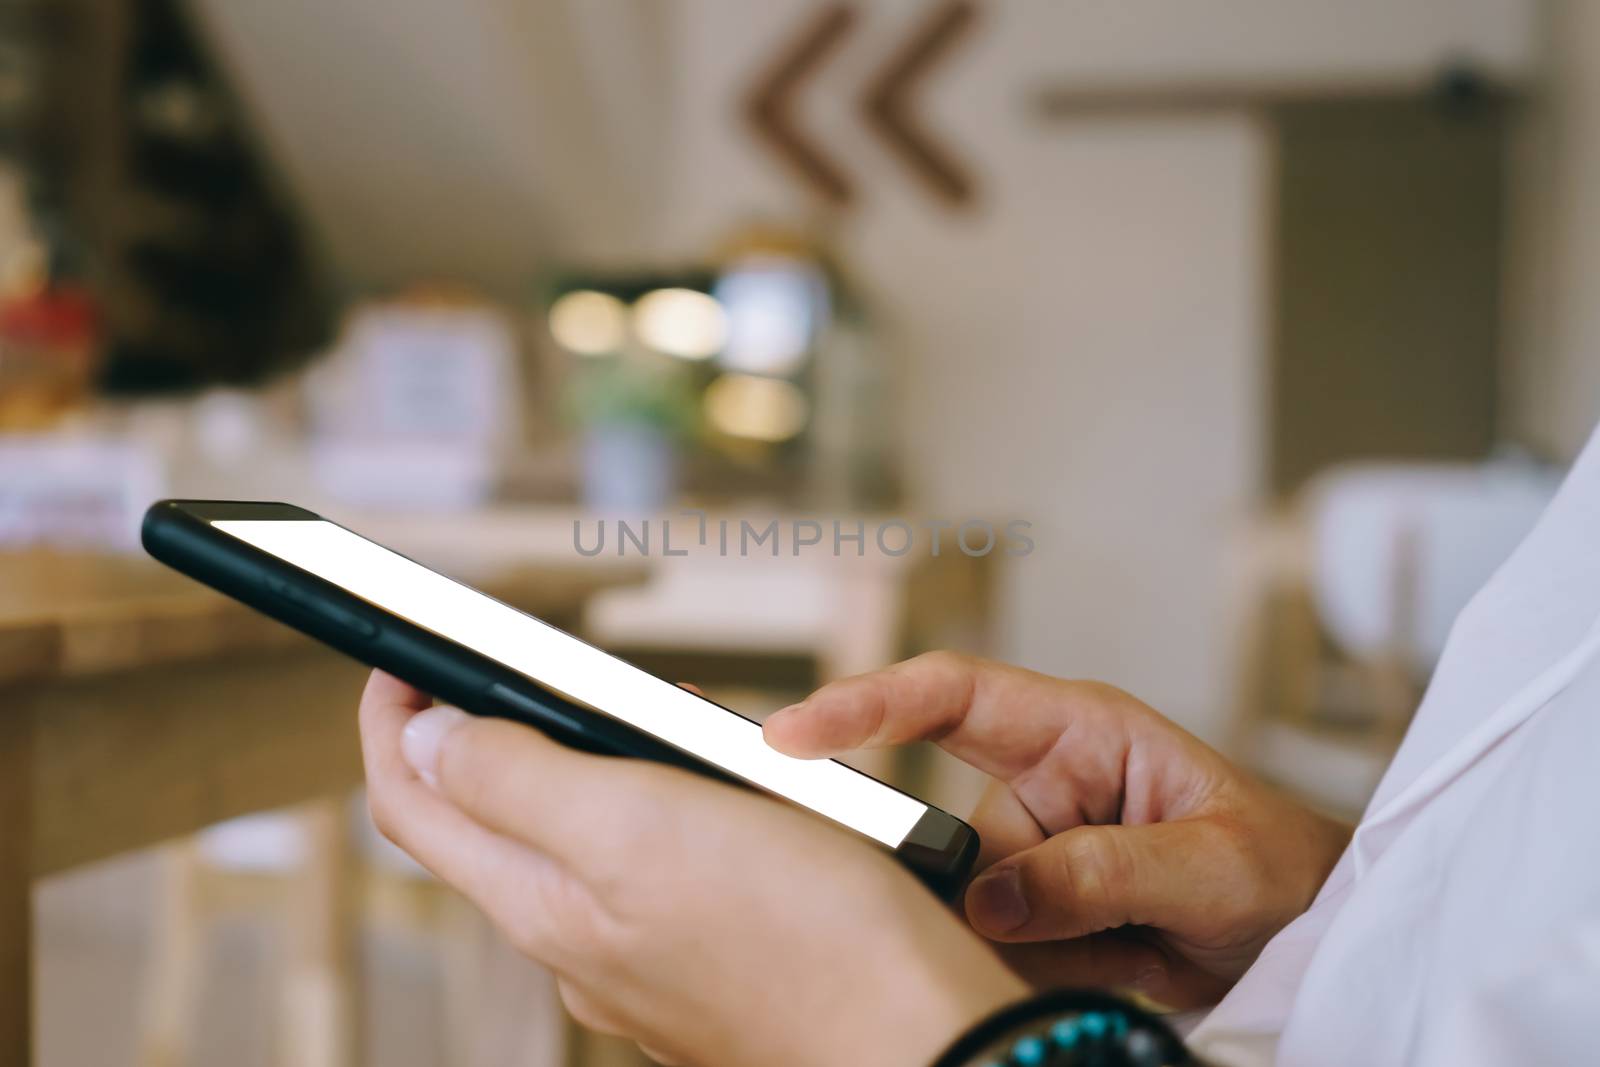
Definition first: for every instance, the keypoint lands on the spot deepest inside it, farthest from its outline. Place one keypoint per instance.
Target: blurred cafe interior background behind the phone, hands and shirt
(1214, 350)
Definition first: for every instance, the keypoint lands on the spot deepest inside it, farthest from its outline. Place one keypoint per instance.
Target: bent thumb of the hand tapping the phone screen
(1098, 877)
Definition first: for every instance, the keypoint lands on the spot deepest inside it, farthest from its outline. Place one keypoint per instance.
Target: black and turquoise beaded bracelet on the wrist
(1070, 1029)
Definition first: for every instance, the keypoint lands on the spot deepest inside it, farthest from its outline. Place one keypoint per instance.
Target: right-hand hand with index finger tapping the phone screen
(1118, 849)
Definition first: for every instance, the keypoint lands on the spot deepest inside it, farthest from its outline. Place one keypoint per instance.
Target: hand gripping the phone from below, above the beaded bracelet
(708, 924)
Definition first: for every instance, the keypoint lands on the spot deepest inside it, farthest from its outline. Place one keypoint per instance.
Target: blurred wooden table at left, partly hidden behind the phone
(137, 706)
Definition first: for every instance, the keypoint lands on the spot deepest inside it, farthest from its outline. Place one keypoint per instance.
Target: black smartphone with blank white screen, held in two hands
(486, 657)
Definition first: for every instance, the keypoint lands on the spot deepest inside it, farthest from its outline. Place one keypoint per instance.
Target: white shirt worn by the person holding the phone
(1463, 925)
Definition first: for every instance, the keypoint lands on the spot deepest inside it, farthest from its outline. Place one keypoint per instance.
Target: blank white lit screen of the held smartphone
(582, 673)
